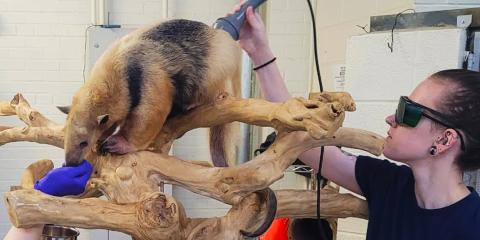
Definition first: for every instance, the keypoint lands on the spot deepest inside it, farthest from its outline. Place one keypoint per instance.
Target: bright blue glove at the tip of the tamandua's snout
(65, 180)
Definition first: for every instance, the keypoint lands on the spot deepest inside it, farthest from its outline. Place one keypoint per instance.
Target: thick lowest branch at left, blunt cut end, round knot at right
(31, 207)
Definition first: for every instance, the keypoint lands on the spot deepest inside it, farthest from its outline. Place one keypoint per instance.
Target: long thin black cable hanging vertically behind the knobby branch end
(320, 162)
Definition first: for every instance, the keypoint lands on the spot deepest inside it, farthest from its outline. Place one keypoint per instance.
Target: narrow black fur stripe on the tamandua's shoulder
(134, 80)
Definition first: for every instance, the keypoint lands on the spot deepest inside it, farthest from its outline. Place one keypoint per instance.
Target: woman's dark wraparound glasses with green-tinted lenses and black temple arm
(409, 114)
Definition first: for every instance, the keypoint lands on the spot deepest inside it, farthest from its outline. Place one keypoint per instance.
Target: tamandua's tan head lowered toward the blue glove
(82, 131)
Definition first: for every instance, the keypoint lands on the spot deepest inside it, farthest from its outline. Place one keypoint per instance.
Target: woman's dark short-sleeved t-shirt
(395, 215)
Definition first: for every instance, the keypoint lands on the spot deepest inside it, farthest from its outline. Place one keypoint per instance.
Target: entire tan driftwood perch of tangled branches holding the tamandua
(131, 181)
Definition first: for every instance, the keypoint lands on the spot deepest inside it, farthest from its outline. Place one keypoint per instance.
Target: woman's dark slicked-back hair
(461, 105)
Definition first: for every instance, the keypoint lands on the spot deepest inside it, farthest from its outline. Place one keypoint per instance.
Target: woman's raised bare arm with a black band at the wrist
(337, 166)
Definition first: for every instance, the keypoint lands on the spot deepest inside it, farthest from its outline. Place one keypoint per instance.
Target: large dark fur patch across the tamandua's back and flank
(185, 46)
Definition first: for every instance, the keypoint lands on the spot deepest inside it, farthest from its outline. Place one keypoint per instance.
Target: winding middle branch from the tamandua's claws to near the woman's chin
(126, 177)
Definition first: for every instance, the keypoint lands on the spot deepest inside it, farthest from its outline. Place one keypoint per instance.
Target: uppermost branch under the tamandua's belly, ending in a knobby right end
(321, 117)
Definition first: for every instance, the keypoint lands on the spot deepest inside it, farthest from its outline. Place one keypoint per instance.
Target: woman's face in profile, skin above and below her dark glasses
(406, 144)
